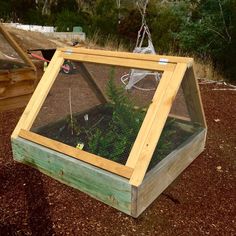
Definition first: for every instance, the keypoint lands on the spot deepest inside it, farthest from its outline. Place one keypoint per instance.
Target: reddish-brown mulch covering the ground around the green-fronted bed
(201, 201)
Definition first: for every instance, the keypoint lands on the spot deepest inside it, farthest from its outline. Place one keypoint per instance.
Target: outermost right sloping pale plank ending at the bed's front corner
(157, 125)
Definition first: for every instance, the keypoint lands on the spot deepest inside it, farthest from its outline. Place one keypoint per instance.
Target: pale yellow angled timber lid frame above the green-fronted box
(176, 70)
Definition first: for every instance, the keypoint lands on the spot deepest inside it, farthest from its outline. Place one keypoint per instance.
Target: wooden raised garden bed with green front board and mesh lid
(155, 156)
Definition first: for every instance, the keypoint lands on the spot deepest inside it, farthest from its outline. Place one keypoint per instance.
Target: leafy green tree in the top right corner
(207, 29)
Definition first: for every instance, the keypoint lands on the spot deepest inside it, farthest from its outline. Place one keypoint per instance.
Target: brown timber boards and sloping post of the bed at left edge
(16, 85)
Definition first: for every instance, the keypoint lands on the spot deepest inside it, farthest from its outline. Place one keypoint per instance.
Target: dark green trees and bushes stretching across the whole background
(205, 28)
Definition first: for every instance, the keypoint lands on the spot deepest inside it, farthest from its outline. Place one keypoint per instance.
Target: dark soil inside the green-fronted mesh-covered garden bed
(99, 117)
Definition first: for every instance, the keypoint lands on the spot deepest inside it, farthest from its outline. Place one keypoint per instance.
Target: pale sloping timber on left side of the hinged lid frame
(39, 95)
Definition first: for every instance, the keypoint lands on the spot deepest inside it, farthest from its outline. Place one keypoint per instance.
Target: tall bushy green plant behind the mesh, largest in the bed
(116, 141)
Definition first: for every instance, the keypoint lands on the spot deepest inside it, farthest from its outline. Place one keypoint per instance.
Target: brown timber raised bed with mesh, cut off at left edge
(18, 77)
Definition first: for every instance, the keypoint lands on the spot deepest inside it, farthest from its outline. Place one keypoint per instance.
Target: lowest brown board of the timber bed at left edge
(14, 102)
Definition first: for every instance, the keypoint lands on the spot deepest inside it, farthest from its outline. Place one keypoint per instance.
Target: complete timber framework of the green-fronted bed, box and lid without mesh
(125, 187)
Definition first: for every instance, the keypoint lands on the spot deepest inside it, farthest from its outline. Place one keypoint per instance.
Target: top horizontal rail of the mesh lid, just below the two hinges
(130, 63)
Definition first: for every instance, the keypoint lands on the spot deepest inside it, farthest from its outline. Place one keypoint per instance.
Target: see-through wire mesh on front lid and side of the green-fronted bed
(74, 112)
